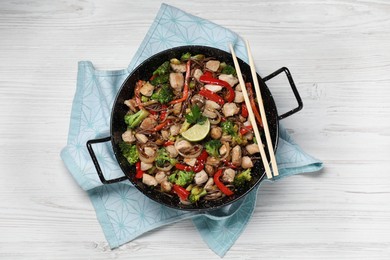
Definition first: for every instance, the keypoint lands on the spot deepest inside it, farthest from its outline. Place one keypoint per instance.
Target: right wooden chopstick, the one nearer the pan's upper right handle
(262, 111)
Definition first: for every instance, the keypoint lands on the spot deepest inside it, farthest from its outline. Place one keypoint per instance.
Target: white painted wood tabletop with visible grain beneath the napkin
(339, 54)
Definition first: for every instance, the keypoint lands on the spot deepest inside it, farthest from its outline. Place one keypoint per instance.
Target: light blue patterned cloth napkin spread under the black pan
(123, 212)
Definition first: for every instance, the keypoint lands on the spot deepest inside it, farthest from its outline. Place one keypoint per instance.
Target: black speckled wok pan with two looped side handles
(118, 126)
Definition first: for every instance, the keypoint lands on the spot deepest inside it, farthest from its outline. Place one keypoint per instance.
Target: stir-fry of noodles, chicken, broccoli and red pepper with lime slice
(188, 132)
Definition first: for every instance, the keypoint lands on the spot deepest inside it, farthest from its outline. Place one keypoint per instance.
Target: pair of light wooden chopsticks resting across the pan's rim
(262, 113)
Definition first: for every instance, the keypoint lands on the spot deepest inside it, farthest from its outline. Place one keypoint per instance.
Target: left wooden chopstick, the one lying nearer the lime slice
(251, 115)
